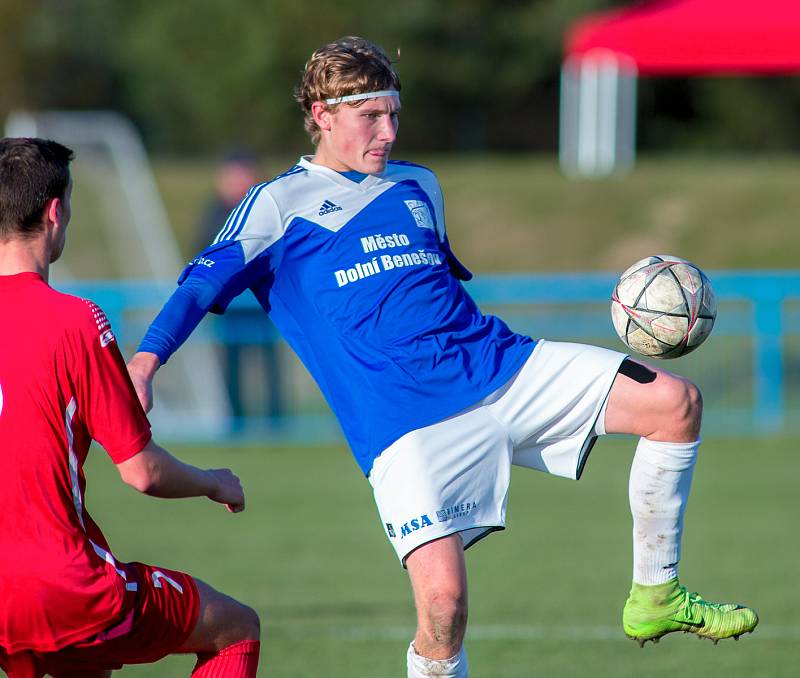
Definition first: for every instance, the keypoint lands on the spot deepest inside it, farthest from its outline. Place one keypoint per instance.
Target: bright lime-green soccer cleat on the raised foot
(654, 611)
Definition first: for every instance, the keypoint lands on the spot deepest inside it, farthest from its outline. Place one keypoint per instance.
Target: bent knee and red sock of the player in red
(226, 638)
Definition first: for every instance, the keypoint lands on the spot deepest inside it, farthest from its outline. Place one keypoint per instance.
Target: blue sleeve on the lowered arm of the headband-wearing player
(209, 283)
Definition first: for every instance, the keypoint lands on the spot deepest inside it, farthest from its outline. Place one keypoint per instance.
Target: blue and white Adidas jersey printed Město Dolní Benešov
(360, 280)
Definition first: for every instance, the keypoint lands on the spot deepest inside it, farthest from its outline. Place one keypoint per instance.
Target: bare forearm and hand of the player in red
(155, 472)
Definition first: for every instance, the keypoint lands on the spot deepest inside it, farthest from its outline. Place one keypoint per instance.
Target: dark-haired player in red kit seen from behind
(67, 606)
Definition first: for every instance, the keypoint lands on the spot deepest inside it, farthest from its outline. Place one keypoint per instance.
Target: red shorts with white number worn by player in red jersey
(161, 616)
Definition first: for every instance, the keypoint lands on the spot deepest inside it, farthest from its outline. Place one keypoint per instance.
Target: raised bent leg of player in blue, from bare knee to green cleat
(666, 411)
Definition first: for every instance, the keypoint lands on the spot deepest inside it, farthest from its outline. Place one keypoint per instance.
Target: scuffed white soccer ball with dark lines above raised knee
(663, 307)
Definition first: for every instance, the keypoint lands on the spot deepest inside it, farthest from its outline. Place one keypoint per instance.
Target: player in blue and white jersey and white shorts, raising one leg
(347, 252)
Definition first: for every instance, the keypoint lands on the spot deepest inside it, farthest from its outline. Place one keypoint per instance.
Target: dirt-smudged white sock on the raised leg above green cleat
(661, 476)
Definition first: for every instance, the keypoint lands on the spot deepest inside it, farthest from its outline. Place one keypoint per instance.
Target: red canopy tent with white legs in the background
(605, 52)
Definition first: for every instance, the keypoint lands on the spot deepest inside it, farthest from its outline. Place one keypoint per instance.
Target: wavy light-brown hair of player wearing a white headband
(350, 65)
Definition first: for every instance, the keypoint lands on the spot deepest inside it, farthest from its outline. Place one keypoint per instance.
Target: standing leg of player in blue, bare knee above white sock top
(439, 579)
